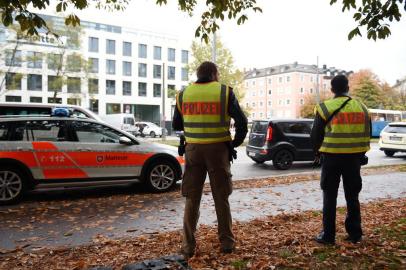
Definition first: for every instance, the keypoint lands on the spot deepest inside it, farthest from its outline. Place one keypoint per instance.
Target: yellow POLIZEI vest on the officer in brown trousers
(204, 108)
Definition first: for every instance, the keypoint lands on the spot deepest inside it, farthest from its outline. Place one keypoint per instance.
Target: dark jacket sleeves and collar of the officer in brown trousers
(234, 110)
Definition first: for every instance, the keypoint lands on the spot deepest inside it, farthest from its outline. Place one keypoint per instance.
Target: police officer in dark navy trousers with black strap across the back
(342, 142)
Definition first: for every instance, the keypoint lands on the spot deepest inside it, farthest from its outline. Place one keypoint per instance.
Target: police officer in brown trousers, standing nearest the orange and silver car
(203, 111)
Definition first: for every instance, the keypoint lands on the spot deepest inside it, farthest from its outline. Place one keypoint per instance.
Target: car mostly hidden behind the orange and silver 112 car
(10, 109)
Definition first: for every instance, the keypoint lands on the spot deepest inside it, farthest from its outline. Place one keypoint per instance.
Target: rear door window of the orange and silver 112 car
(44, 130)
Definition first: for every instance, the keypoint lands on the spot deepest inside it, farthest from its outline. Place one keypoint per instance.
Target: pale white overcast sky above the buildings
(286, 31)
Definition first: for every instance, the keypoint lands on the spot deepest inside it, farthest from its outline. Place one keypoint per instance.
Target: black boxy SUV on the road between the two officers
(282, 141)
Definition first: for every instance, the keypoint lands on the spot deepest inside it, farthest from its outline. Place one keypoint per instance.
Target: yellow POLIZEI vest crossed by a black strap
(349, 130)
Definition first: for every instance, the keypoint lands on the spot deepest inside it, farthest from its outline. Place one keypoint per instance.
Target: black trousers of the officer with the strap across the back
(333, 167)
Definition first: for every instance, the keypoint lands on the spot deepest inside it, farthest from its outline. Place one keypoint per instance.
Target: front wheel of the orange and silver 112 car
(160, 176)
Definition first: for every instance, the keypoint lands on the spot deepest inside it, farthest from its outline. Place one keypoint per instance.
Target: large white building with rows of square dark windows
(128, 69)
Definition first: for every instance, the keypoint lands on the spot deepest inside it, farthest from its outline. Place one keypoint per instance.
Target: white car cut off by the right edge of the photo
(393, 138)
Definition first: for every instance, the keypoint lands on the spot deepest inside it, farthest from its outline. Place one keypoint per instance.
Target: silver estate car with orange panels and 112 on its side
(49, 151)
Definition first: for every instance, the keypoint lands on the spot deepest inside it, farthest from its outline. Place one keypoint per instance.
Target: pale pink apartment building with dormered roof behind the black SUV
(280, 91)
